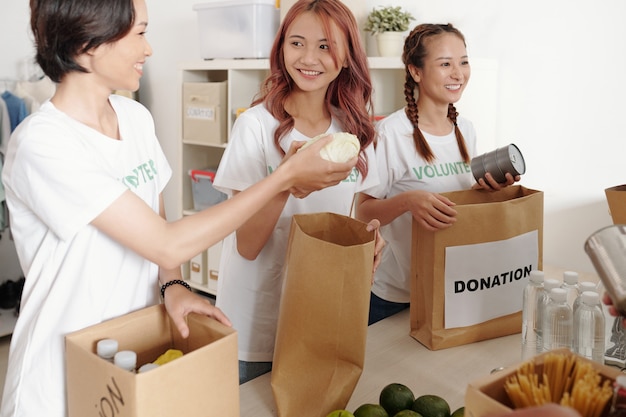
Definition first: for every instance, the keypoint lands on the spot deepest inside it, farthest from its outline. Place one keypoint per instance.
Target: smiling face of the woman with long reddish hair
(307, 53)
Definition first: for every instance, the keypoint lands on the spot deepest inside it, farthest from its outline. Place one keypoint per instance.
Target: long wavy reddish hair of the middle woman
(350, 92)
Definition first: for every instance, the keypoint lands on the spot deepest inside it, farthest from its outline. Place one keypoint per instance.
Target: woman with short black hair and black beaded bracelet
(83, 179)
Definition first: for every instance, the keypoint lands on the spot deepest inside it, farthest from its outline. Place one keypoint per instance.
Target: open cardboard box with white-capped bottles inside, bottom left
(203, 382)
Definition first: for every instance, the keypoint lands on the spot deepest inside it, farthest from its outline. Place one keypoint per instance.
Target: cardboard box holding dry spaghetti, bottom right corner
(487, 397)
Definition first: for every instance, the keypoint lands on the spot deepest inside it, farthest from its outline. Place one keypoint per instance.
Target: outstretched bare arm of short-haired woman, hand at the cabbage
(133, 224)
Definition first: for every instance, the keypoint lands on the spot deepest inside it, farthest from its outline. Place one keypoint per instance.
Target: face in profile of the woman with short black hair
(119, 65)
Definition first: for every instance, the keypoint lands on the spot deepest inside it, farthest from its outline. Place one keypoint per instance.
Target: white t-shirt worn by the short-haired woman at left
(59, 175)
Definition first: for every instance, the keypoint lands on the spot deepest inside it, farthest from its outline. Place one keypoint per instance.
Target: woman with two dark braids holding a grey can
(423, 149)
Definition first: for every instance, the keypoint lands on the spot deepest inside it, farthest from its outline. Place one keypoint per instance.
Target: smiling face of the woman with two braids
(446, 70)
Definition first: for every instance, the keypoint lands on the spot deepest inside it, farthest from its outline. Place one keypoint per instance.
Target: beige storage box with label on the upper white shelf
(205, 113)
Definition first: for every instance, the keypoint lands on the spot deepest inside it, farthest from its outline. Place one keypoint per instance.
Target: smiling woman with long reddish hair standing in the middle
(319, 83)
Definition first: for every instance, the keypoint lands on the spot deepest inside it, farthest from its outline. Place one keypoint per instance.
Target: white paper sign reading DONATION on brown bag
(476, 275)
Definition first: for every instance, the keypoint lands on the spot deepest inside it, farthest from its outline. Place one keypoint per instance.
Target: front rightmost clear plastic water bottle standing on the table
(589, 328)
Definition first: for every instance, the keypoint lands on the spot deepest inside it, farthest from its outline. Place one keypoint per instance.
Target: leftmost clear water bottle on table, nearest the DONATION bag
(531, 322)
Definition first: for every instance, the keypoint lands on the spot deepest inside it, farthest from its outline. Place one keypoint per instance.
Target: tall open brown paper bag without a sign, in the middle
(322, 324)
